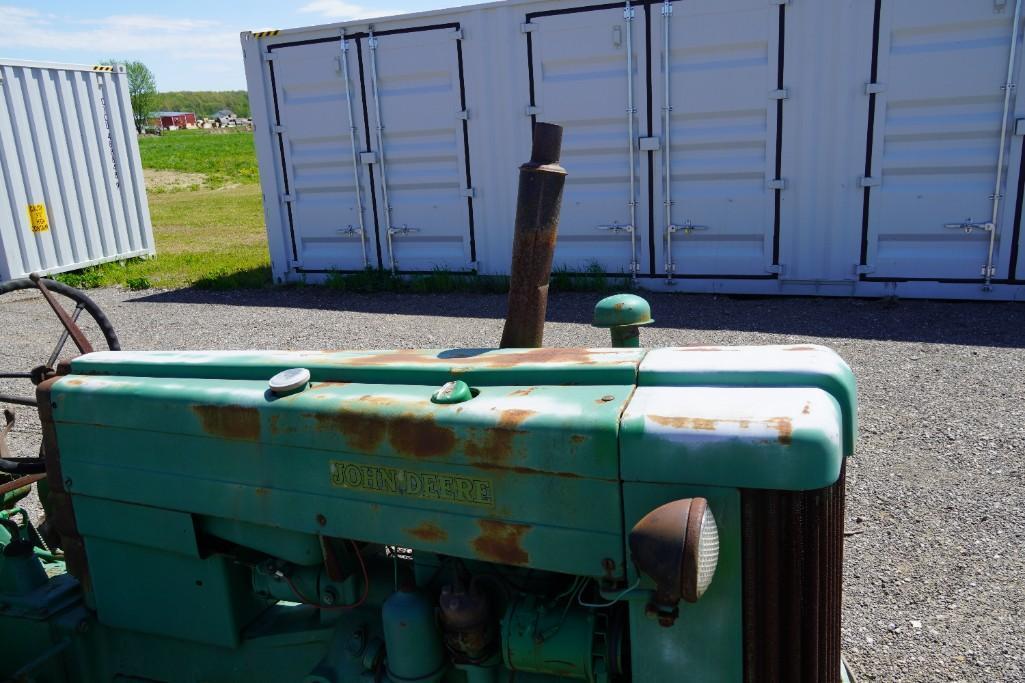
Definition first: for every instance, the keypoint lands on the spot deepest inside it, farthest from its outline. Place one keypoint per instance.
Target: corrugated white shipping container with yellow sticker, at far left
(72, 192)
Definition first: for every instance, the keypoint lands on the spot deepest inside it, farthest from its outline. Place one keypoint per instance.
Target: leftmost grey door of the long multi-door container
(323, 190)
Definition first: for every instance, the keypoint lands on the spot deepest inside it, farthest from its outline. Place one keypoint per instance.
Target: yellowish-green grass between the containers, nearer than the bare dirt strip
(211, 238)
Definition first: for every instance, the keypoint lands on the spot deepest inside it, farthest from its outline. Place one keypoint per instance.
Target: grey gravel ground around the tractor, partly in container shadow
(934, 577)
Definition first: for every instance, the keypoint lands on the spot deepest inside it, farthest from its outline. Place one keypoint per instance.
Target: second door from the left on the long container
(420, 136)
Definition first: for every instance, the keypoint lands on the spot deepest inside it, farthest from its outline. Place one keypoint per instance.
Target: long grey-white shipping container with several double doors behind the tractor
(863, 148)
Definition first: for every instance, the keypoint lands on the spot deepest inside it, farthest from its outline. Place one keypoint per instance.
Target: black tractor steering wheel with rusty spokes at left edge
(54, 293)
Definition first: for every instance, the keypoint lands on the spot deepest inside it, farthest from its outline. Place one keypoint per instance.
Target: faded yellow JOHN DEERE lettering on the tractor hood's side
(432, 487)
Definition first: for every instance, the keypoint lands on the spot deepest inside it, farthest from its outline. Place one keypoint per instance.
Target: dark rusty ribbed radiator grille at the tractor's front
(793, 568)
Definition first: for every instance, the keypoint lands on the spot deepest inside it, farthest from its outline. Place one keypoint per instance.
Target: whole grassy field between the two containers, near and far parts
(209, 235)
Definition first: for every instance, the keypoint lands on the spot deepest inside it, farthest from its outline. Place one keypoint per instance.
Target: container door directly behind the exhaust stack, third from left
(581, 70)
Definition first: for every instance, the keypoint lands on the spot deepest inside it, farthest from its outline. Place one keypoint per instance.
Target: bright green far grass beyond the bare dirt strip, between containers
(225, 156)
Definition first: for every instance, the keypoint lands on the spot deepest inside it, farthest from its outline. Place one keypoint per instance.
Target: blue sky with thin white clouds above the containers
(189, 45)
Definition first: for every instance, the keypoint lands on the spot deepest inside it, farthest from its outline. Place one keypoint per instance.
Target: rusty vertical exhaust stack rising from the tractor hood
(539, 204)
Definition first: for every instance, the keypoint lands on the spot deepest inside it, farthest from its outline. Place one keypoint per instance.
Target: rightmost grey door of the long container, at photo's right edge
(936, 139)
